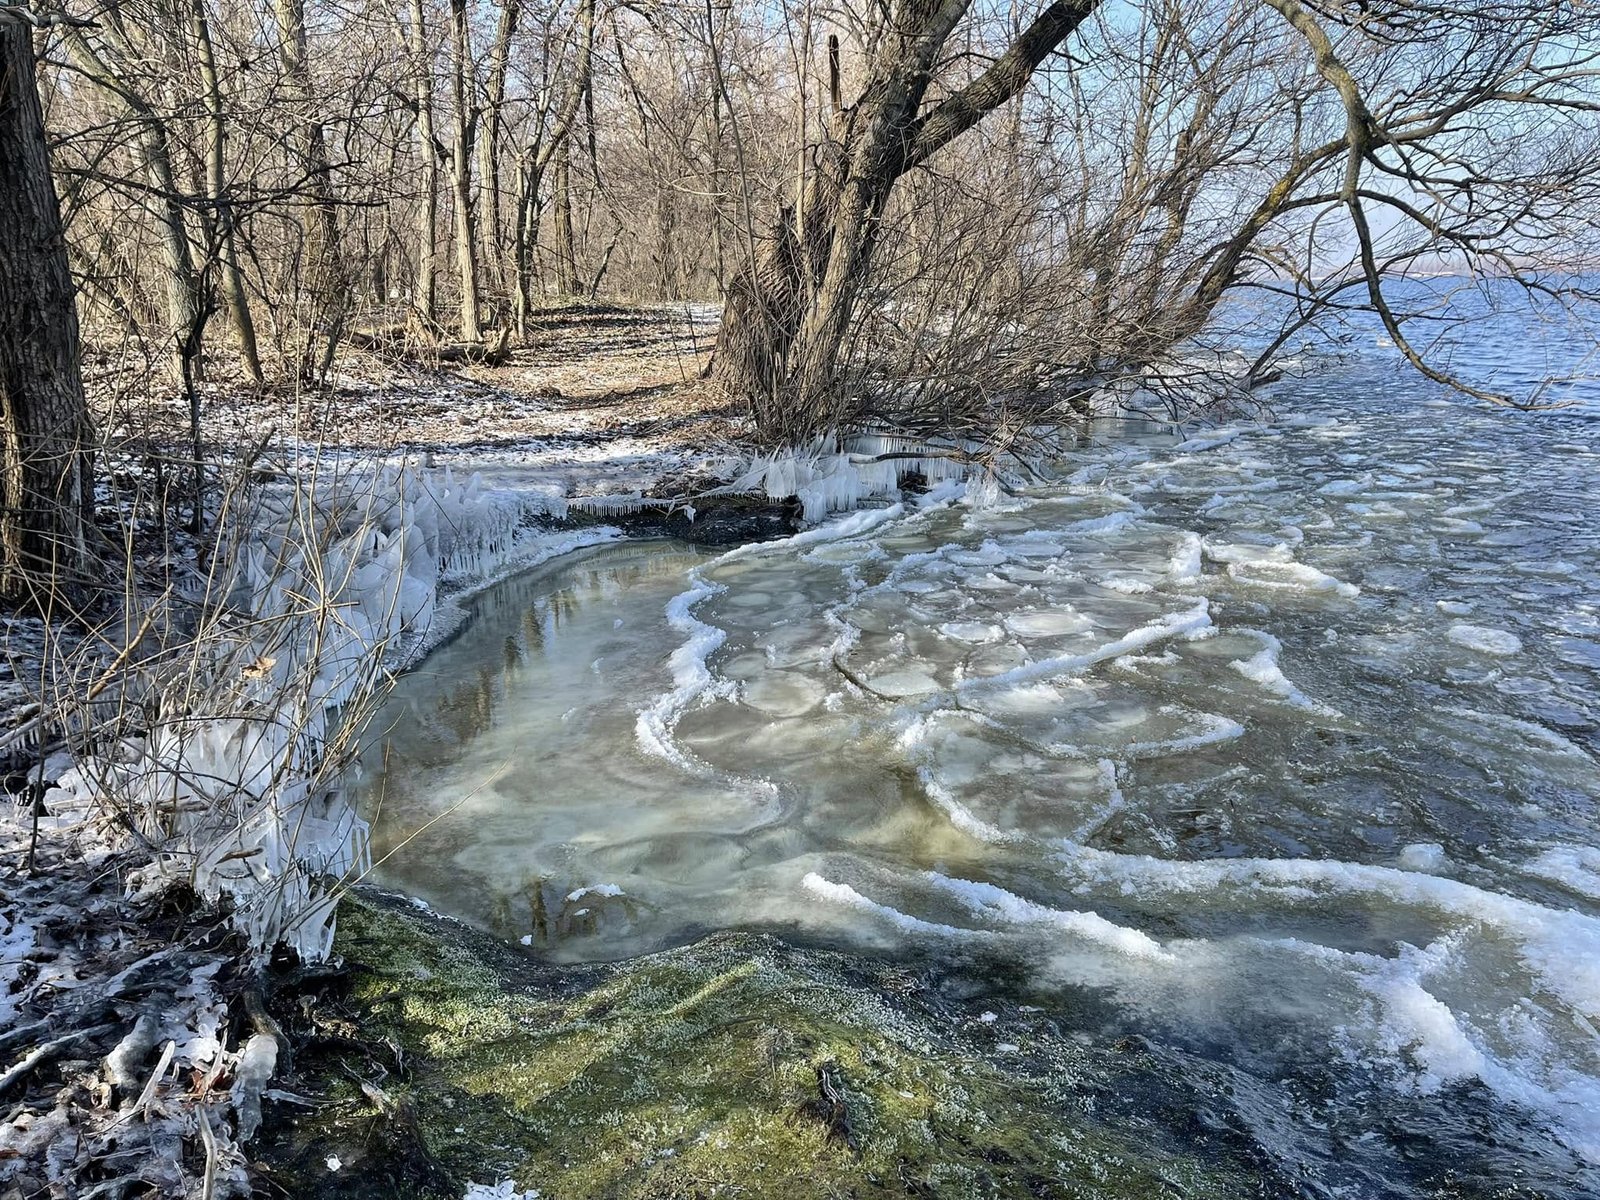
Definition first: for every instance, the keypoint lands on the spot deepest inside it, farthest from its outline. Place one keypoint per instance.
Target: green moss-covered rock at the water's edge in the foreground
(740, 1066)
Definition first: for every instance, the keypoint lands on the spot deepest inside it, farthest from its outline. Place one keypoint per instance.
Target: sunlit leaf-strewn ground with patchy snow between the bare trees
(598, 398)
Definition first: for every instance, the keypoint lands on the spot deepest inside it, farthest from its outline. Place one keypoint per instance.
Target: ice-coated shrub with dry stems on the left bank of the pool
(241, 695)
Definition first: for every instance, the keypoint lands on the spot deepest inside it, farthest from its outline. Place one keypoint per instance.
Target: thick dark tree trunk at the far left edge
(46, 468)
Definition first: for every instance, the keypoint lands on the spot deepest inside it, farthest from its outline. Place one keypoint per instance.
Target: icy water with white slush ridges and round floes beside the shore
(1276, 746)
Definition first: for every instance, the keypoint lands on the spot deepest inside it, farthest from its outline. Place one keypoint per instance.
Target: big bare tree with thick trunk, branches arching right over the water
(1178, 114)
